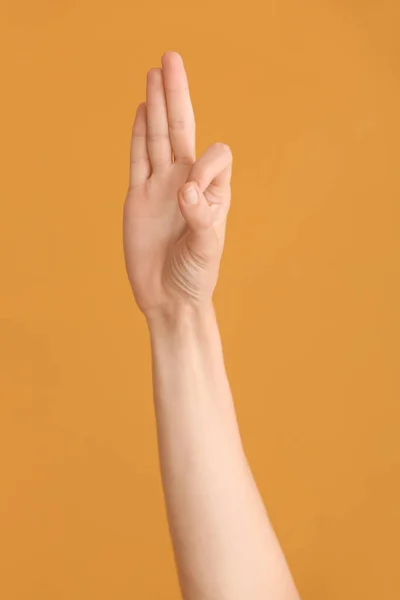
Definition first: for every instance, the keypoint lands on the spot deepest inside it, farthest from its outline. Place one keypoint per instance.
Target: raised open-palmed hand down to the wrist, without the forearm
(173, 248)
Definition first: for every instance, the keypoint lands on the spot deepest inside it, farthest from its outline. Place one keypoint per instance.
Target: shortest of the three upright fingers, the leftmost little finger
(140, 168)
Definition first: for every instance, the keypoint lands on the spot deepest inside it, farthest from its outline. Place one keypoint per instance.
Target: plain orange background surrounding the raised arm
(307, 95)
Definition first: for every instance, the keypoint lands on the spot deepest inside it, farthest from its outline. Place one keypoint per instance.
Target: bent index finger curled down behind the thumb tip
(213, 168)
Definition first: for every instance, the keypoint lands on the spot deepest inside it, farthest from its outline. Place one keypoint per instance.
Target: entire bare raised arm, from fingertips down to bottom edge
(224, 545)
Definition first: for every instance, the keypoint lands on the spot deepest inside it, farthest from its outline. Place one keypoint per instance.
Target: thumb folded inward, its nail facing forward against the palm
(197, 213)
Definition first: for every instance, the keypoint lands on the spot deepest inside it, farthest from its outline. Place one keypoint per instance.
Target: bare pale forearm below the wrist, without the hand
(224, 545)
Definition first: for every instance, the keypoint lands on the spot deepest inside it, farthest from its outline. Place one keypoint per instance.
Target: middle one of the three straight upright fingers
(158, 142)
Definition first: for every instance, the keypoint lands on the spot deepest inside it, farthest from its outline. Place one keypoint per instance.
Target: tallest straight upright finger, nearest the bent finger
(181, 121)
